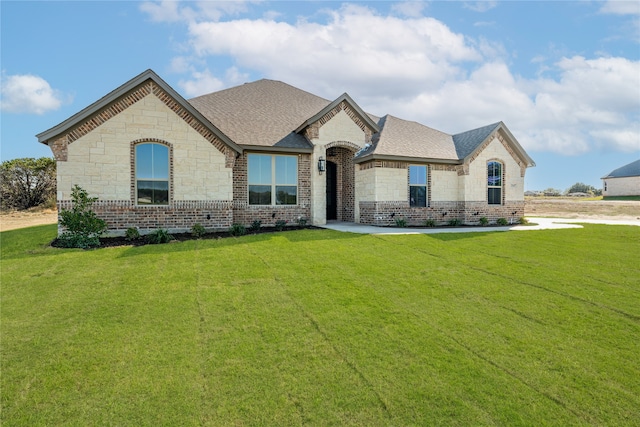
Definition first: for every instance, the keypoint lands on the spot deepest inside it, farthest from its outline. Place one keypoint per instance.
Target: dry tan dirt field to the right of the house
(576, 208)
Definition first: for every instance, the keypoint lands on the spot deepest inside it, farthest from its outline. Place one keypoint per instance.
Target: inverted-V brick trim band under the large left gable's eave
(147, 88)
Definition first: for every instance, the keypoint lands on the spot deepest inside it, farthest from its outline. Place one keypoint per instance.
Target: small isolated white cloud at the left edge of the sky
(26, 93)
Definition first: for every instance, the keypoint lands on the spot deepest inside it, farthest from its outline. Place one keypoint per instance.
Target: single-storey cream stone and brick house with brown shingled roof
(268, 151)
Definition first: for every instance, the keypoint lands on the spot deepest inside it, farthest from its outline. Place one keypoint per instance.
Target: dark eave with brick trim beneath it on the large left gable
(148, 83)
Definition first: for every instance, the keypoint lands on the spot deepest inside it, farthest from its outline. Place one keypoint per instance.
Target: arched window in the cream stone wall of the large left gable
(152, 174)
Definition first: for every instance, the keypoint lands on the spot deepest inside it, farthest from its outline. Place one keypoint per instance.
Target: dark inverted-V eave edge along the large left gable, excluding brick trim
(103, 102)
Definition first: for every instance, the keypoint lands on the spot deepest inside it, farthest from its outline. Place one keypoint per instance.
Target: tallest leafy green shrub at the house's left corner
(83, 227)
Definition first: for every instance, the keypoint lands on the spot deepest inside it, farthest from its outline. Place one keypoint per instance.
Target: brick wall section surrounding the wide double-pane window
(245, 214)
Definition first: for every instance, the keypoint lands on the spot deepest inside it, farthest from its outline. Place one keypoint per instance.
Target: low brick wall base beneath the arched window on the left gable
(177, 217)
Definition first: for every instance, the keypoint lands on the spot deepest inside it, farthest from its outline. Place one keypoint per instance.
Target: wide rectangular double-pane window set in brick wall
(273, 180)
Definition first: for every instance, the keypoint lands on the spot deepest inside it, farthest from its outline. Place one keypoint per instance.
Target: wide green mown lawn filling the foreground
(324, 328)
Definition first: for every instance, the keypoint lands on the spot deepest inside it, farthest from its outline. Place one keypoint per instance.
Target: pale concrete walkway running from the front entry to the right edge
(541, 224)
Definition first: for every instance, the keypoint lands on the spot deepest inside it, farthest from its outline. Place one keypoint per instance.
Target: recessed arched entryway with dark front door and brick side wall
(340, 176)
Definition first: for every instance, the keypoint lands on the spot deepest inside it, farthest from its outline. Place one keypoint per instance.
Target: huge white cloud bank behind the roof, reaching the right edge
(417, 68)
